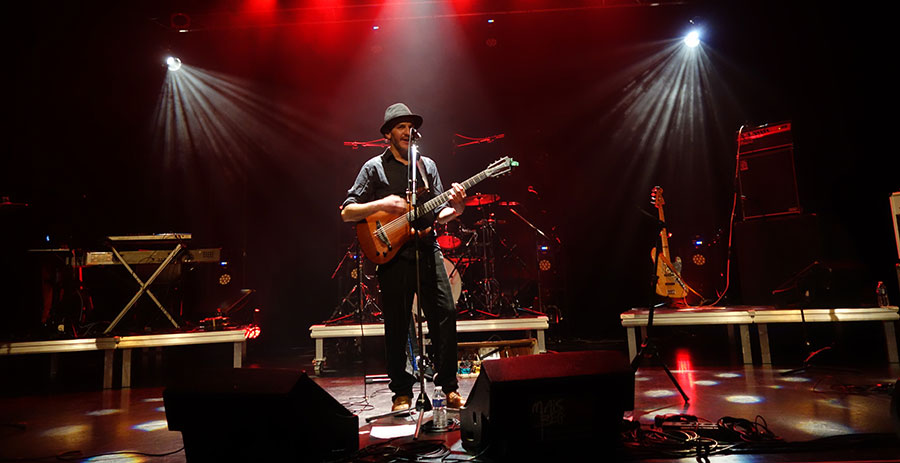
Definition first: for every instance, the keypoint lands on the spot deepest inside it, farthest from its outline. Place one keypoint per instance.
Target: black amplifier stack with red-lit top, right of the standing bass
(767, 177)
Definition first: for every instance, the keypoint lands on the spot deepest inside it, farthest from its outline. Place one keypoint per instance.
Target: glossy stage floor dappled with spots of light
(797, 408)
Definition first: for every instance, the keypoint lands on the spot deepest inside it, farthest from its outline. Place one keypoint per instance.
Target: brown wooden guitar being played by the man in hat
(381, 235)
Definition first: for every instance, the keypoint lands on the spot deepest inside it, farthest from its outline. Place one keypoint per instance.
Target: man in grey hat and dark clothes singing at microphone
(380, 187)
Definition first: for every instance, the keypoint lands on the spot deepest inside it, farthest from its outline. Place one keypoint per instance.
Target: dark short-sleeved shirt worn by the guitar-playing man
(384, 175)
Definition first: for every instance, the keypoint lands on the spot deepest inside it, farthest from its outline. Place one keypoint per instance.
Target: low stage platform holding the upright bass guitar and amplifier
(761, 316)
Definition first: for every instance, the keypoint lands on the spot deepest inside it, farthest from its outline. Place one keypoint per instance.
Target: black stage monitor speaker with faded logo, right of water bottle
(551, 404)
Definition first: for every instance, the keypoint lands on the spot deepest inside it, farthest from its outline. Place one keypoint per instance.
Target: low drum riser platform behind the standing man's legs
(532, 326)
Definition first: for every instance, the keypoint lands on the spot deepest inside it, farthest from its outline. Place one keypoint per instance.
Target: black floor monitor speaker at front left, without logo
(258, 415)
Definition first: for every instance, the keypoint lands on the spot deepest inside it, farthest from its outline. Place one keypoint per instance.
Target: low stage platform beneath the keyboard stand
(109, 345)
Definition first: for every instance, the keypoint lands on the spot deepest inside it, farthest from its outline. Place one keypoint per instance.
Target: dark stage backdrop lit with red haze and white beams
(588, 101)
